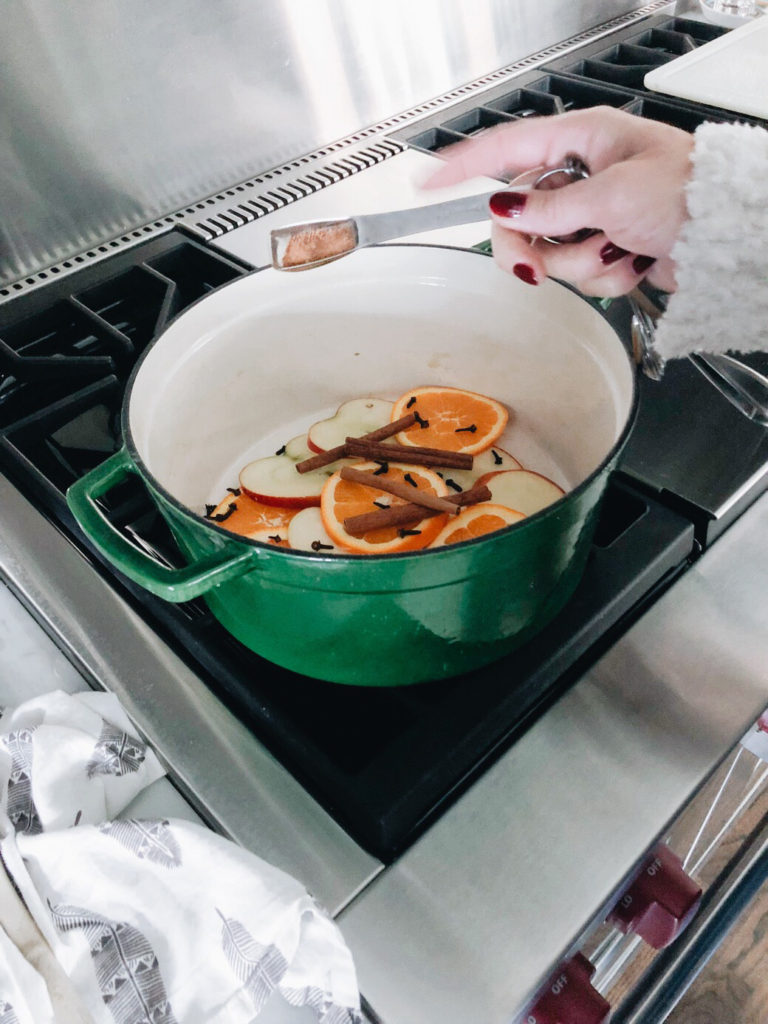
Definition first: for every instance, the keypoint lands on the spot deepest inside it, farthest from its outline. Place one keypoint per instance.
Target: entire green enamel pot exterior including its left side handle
(370, 621)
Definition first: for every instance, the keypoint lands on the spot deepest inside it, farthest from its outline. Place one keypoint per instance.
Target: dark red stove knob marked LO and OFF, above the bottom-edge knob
(660, 903)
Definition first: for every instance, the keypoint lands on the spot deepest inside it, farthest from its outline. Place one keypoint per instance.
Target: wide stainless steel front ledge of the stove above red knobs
(499, 889)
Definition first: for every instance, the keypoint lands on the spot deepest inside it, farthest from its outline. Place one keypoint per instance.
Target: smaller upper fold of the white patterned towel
(70, 759)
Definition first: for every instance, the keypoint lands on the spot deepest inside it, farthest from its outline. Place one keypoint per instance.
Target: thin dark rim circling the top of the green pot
(338, 559)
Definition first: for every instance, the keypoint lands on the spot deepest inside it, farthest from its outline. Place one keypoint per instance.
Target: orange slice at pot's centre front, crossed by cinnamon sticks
(343, 499)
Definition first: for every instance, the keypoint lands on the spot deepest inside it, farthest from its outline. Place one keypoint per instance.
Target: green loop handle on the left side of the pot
(173, 585)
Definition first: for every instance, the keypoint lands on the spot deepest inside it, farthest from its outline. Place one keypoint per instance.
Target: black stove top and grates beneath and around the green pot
(383, 762)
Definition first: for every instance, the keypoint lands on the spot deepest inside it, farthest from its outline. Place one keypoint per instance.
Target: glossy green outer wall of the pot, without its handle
(390, 621)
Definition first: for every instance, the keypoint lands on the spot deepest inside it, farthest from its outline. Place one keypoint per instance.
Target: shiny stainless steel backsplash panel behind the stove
(120, 117)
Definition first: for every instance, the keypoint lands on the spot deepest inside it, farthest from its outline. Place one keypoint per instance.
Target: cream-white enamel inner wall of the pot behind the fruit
(255, 364)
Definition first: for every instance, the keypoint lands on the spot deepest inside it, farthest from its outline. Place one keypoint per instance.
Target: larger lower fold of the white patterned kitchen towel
(166, 923)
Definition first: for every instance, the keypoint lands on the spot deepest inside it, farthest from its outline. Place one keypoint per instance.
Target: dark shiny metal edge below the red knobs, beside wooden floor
(672, 974)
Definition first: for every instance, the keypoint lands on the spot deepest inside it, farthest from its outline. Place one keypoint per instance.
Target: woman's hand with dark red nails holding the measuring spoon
(634, 197)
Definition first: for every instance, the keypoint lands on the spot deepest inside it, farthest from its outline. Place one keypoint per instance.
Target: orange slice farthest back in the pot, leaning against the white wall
(458, 421)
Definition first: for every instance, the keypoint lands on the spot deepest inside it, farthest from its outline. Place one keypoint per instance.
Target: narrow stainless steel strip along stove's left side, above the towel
(228, 776)
